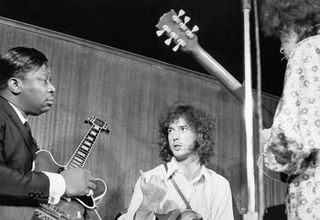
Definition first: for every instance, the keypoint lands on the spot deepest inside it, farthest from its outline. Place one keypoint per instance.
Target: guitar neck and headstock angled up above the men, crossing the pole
(172, 25)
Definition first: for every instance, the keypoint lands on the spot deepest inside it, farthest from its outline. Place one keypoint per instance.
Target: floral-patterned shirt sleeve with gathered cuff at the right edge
(295, 132)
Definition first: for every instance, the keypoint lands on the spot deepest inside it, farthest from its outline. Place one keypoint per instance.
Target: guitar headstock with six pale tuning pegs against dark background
(176, 29)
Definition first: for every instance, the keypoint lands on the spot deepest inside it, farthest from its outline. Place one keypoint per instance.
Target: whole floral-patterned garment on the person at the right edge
(295, 132)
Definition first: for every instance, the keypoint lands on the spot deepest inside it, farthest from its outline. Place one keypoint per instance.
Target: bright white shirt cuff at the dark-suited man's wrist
(57, 187)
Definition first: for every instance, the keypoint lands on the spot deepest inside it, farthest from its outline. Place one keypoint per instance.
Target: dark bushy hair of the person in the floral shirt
(279, 16)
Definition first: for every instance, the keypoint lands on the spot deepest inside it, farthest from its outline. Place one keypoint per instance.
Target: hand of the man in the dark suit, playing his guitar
(78, 181)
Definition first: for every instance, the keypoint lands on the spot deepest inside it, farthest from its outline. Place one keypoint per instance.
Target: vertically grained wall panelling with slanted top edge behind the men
(129, 91)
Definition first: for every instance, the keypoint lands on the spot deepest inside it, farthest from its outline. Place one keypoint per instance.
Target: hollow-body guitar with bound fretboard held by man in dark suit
(68, 208)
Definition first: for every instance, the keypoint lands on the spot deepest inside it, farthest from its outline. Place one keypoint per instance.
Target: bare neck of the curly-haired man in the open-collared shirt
(190, 167)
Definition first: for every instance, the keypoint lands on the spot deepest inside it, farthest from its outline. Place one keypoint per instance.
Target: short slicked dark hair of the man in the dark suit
(18, 61)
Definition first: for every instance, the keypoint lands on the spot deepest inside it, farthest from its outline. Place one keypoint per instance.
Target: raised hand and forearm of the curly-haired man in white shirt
(153, 192)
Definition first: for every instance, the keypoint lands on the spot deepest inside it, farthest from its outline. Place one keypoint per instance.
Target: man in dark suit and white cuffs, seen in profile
(26, 89)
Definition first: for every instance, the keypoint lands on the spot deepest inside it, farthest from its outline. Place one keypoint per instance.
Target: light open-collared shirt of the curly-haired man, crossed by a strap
(208, 194)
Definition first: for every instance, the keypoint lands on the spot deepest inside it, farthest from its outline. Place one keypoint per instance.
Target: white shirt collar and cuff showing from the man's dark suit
(57, 184)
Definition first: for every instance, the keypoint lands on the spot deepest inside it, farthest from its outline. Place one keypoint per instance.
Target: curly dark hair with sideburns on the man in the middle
(202, 123)
